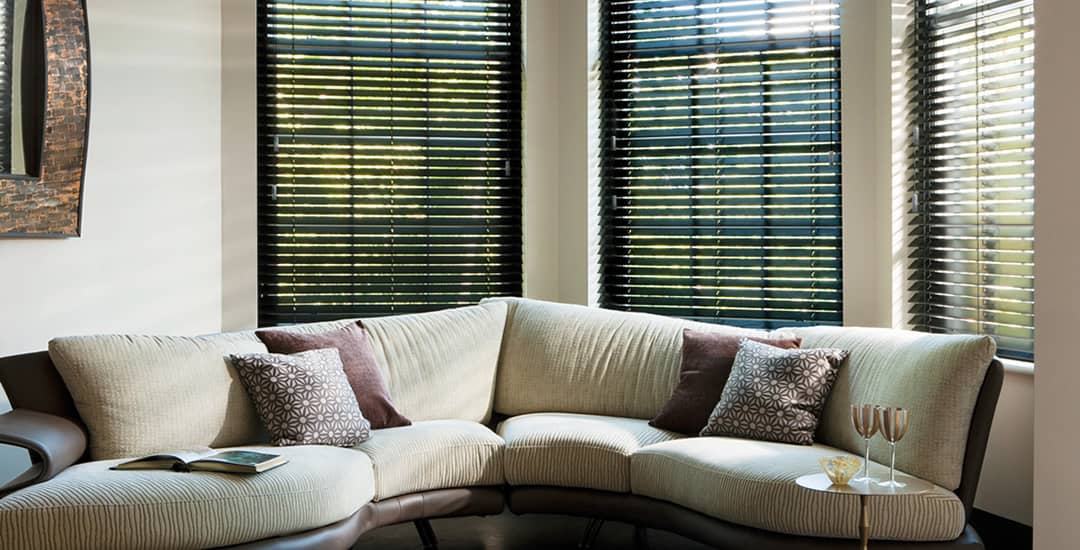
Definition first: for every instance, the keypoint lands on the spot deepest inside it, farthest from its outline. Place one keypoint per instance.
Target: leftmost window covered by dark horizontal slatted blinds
(389, 156)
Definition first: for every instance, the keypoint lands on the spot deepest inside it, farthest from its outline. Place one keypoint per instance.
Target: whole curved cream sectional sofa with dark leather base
(537, 407)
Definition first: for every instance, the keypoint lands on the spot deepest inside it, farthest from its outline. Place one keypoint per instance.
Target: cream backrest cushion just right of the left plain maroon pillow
(438, 366)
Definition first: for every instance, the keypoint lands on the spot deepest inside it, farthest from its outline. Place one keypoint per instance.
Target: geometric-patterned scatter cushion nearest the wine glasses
(776, 395)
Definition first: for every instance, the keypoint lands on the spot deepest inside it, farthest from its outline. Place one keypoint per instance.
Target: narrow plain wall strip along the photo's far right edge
(1058, 298)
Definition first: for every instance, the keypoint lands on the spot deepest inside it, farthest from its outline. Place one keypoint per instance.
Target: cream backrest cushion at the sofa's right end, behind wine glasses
(938, 378)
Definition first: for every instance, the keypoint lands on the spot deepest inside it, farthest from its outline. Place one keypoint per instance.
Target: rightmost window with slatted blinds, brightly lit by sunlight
(973, 170)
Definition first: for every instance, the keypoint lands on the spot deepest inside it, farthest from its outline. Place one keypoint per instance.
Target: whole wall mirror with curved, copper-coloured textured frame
(45, 117)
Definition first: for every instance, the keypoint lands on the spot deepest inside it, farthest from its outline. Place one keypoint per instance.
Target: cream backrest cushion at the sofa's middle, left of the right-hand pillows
(559, 358)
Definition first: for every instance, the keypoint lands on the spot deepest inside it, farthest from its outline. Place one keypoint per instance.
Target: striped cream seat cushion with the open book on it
(91, 507)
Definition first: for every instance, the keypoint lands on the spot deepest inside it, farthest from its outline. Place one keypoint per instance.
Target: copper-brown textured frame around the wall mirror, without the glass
(50, 204)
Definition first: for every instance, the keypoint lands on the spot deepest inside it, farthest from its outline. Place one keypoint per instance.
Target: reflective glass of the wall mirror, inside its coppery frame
(21, 88)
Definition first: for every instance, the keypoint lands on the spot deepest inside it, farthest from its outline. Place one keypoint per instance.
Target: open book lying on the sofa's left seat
(207, 460)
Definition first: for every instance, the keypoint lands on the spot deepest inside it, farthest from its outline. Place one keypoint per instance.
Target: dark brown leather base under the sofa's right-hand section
(658, 515)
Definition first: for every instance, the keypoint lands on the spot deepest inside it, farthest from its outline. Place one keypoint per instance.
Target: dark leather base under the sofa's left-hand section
(452, 503)
